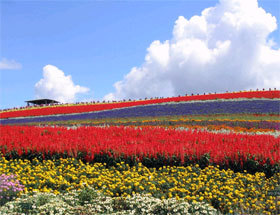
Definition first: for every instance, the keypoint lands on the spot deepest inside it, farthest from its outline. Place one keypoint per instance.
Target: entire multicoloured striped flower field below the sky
(204, 154)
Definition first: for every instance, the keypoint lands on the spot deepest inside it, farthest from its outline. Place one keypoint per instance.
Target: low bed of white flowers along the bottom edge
(90, 201)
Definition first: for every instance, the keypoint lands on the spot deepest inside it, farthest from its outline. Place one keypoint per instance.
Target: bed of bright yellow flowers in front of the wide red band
(223, 189)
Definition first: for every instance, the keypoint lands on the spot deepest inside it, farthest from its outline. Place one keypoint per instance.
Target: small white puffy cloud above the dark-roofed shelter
(56, 85)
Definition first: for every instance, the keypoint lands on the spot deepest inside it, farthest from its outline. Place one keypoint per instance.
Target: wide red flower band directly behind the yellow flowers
(155, 146)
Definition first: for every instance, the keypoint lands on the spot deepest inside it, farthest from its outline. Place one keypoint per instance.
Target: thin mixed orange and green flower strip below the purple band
(242, 123)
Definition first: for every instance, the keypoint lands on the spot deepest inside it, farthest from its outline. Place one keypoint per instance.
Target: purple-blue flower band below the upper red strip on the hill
(170, 109)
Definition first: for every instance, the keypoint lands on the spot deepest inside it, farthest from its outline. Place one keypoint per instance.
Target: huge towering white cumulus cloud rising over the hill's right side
(224, 48)
